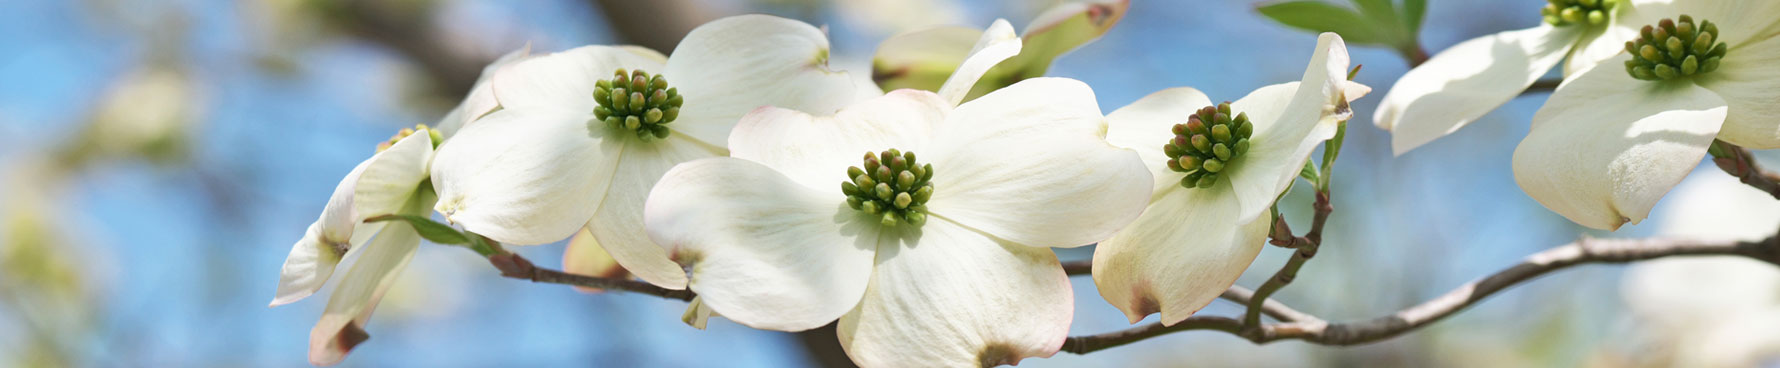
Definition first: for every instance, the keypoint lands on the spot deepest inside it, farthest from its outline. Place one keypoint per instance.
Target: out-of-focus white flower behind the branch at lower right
(1719, 310)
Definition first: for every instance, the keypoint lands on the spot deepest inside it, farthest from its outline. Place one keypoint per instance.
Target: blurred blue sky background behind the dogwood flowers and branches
(158, 161)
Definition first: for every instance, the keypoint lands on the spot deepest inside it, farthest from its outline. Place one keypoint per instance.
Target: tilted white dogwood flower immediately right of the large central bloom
(1199, 236)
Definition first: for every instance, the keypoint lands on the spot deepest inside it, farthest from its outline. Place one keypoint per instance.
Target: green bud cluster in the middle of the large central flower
(893, 186)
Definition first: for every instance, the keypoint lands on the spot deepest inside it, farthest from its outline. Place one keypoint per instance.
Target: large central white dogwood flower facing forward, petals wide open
(932, 260)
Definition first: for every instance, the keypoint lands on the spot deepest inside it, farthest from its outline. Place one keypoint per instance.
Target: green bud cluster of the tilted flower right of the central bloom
(1208, 143)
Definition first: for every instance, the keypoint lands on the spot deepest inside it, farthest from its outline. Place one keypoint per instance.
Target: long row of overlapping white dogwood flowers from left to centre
(788, 196)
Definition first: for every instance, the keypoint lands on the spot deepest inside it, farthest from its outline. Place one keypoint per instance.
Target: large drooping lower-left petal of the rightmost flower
(1606, 147)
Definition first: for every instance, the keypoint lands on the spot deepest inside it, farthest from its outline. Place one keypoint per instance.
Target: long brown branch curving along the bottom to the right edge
(1587, 252)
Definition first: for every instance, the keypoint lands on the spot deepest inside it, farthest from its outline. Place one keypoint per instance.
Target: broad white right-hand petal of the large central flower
(1030, 164)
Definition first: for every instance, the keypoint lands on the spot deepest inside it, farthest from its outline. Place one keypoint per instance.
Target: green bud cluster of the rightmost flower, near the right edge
(1676, 49)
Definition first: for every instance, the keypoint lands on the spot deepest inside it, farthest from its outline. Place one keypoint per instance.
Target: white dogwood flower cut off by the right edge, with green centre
(1615, 138)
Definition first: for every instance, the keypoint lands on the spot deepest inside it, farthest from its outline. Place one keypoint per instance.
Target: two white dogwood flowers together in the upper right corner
(1649, 88)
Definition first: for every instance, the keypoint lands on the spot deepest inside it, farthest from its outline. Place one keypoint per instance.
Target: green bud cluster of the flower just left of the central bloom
(638, 102)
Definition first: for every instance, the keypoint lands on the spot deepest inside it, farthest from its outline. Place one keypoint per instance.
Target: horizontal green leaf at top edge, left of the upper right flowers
(1322, 17)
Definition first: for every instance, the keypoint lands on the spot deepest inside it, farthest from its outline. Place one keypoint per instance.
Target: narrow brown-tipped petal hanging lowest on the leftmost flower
(353, 301)
